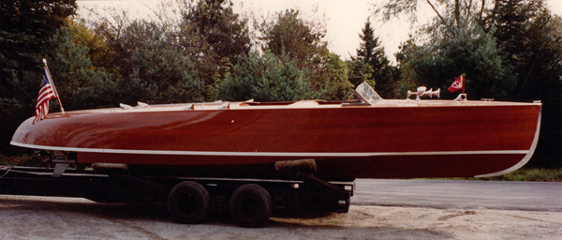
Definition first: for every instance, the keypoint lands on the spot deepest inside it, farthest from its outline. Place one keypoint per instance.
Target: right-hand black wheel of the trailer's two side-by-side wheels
(250, 206)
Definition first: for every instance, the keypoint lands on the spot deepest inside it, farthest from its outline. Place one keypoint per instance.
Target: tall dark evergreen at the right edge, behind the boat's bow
(533, 48)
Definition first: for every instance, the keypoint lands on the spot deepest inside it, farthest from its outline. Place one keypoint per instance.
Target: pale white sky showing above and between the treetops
(344, 18)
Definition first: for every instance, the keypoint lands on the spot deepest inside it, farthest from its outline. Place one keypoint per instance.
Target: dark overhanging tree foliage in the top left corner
(24, 25)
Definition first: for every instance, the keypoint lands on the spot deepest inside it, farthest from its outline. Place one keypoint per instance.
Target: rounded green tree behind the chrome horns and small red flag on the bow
(472, 52)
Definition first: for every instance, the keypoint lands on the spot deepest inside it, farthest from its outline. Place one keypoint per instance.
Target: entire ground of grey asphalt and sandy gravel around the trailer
(403, 209)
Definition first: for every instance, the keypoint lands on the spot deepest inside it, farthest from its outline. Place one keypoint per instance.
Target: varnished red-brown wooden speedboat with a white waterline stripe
(365, 138)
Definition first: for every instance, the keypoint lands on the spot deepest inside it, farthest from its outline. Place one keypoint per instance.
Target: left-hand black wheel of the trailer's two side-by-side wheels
(188, 202)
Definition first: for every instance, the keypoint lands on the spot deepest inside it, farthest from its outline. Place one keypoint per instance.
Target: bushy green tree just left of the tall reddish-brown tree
(154, 69)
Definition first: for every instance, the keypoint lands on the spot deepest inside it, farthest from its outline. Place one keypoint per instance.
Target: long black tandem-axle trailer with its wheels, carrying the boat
(249, 201)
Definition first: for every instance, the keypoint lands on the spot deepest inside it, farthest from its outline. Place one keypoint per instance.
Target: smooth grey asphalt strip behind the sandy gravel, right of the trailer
(443, 194)
